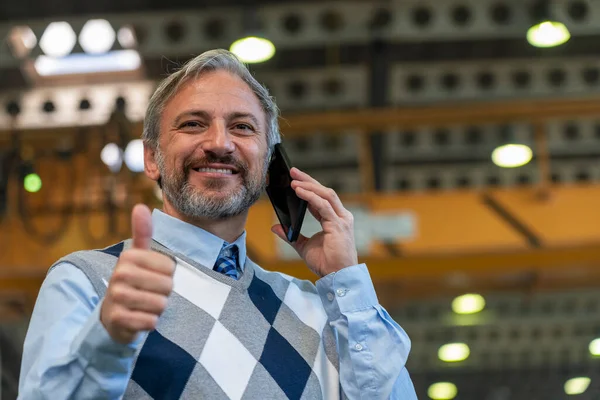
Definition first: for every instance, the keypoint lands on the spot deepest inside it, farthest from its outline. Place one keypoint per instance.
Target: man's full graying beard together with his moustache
(215, 203)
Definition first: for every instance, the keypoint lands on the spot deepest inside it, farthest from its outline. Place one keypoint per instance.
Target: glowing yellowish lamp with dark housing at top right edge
(546, 31)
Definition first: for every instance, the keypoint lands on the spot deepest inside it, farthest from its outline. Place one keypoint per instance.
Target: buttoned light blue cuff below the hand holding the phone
(347, 290)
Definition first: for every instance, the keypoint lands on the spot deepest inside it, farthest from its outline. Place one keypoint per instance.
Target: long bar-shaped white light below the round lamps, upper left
(114, 61)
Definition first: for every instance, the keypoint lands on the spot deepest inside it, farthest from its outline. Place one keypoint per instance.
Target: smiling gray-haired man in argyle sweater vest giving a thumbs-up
(179, 311)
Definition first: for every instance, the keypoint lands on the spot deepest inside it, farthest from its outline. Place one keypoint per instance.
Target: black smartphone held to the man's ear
(290, 209)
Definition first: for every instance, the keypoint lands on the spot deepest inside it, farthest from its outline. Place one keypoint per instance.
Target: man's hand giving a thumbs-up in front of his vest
(140, 284)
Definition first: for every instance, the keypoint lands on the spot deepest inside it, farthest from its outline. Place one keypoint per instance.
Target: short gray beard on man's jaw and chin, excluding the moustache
(191, 202)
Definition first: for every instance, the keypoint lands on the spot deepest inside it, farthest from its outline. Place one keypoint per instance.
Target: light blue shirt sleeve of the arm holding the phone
(373, 348)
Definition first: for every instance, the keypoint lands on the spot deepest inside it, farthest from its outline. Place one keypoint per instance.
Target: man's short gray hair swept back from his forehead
(213, 60)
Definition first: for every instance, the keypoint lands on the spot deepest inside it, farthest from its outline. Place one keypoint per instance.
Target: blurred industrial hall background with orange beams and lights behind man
(464, 135)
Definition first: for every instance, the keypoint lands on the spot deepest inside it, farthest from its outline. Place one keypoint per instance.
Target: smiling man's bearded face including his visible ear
(212, 148)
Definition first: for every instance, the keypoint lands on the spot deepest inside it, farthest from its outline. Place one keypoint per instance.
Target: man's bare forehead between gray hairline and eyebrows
(217, 92)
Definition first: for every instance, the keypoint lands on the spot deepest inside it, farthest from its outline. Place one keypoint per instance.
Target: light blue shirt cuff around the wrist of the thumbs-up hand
(96, 347)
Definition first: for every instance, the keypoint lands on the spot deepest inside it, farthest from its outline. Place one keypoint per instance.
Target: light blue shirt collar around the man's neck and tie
(193, 242)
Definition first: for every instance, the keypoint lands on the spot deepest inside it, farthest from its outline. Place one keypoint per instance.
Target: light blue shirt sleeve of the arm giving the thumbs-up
(68, 354)
